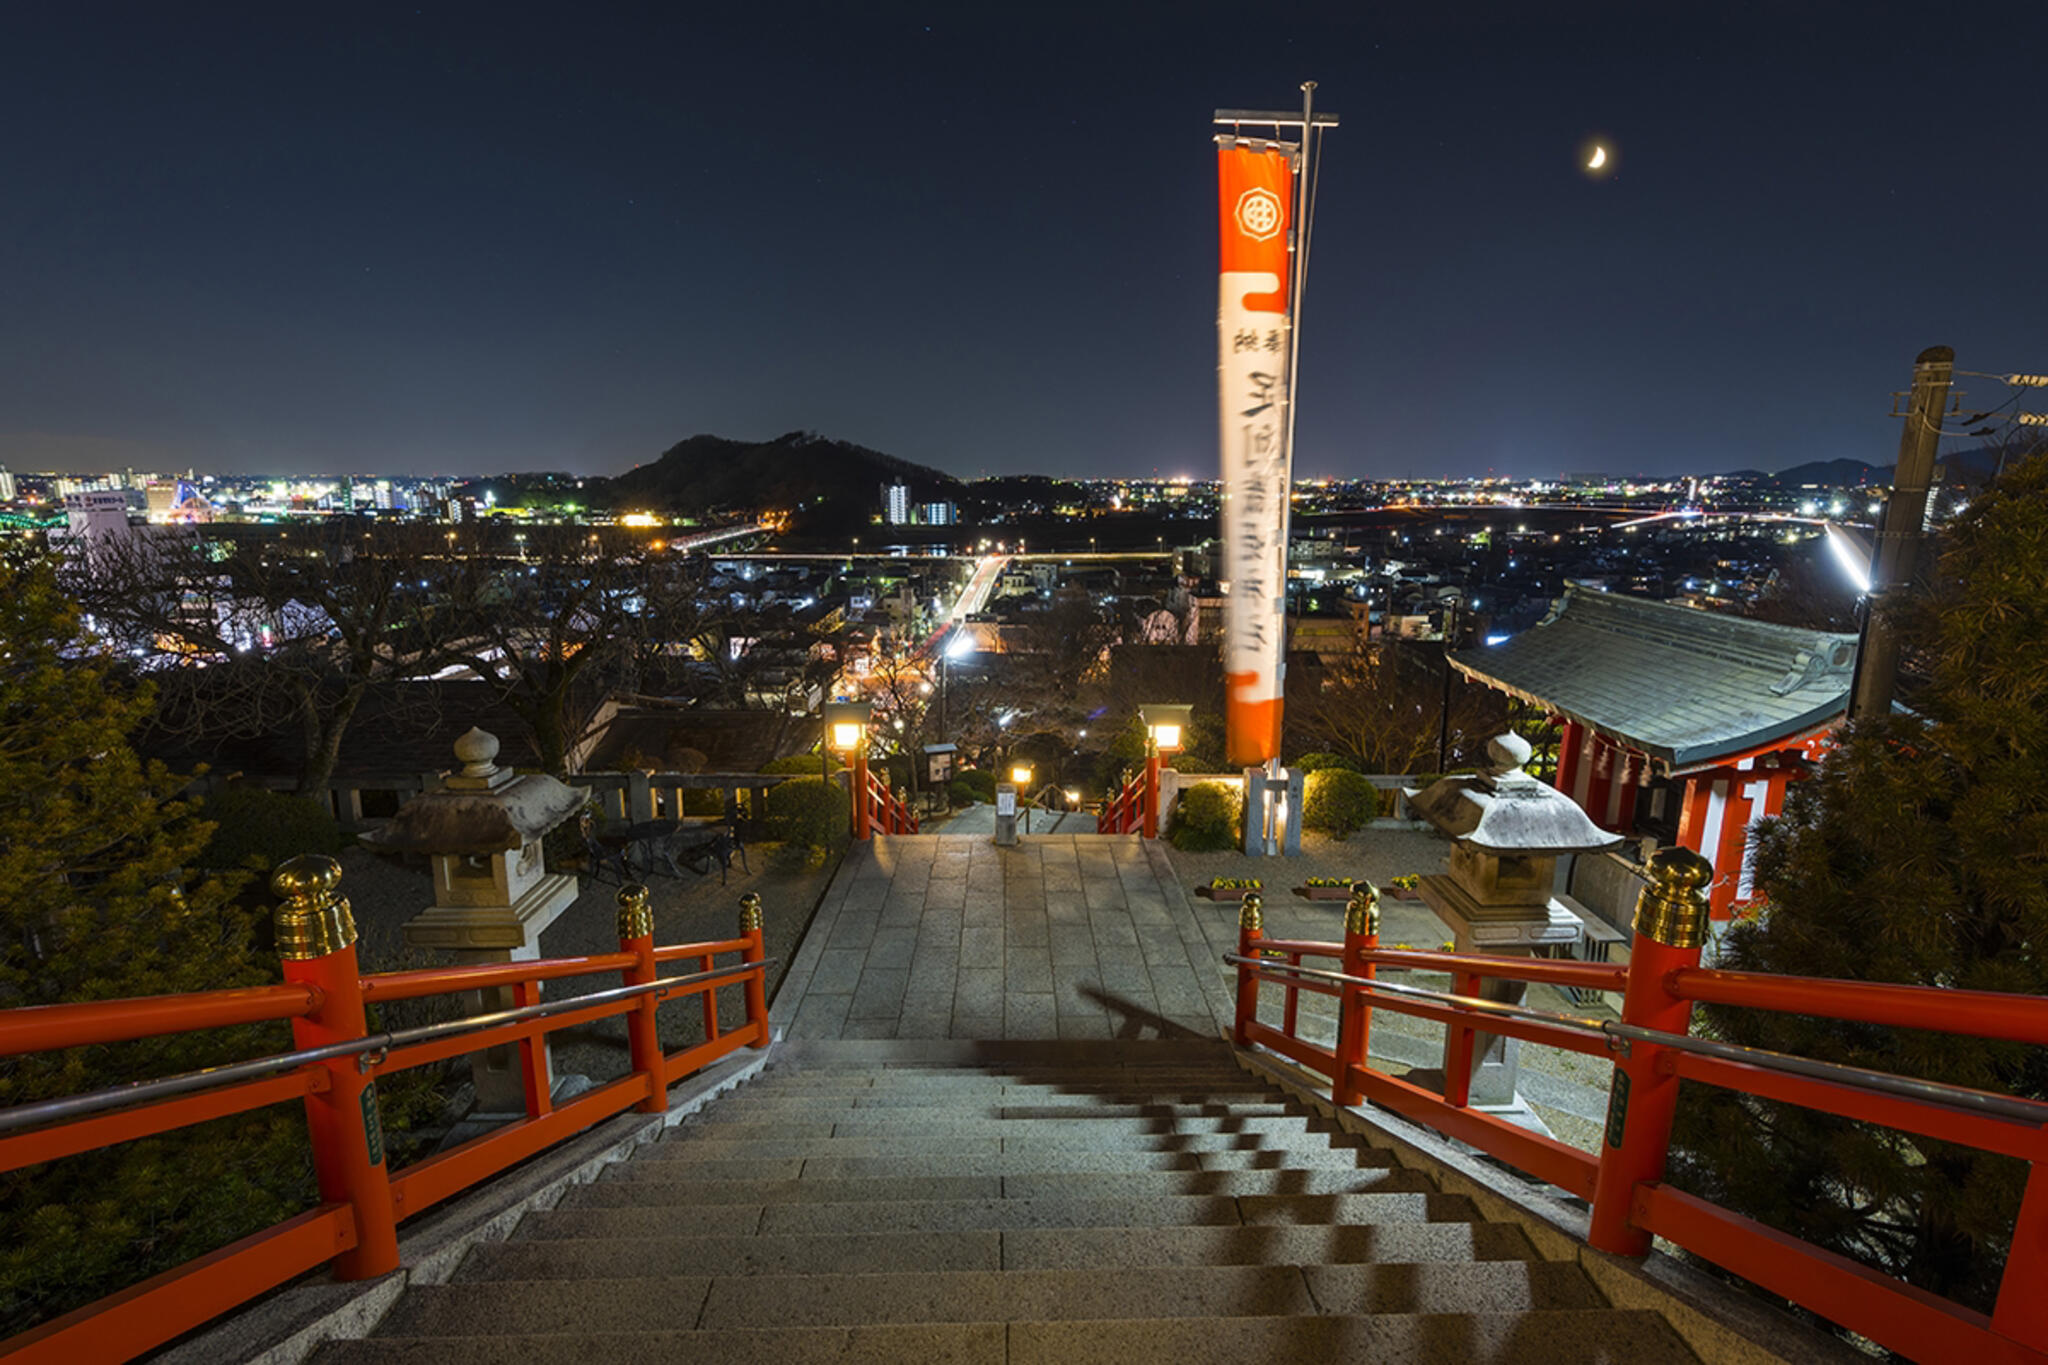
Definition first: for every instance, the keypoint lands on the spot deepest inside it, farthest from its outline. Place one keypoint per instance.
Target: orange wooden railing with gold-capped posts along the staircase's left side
(325, 998)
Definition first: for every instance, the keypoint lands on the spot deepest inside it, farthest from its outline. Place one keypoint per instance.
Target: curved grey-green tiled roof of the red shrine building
(1680, 685)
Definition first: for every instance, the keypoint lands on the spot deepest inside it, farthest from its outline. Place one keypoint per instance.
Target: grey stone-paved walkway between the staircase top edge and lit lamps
(1064, 936)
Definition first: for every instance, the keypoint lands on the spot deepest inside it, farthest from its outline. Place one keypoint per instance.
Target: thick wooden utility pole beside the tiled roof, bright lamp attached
(1895, 556)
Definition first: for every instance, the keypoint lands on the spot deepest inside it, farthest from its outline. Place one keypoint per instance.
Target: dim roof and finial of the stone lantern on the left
(482, 809)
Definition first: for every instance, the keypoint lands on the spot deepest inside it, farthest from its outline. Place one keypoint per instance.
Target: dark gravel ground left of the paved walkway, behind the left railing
(388, 891)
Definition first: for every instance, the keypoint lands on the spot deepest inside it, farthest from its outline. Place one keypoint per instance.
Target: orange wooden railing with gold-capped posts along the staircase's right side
(1625, 1182)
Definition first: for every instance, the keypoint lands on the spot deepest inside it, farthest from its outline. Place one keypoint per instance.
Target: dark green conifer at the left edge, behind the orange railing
(97, 906)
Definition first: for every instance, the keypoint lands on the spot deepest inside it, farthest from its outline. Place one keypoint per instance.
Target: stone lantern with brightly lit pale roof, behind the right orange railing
(1508, 832)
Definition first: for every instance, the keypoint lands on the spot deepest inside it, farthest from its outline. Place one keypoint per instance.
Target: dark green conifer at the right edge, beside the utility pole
(1918, 854)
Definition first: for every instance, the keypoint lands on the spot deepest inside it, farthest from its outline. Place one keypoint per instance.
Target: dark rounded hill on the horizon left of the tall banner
(708, 474)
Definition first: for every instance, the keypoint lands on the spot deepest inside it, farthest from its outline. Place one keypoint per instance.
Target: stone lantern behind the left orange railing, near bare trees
(493, 895)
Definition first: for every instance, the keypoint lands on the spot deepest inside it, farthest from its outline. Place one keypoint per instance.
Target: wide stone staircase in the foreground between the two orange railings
(1009, 1202)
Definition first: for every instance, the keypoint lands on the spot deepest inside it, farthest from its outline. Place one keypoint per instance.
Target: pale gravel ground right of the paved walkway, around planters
(1566, 1090)
